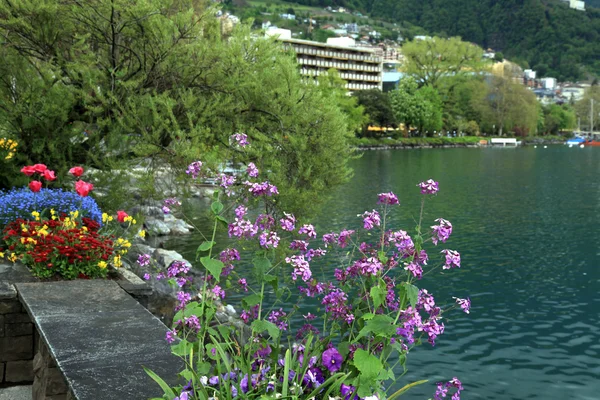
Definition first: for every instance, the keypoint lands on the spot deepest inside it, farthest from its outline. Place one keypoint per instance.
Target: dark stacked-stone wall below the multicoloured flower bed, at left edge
(17, 339)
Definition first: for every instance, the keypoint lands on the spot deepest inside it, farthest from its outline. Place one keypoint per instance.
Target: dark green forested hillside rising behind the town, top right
(545, 35)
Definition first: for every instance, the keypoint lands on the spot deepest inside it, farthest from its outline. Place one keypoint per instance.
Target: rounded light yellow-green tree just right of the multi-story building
(432, 59)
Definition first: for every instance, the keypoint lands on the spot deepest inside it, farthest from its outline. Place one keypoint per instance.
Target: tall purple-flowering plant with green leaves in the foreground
(373, 313)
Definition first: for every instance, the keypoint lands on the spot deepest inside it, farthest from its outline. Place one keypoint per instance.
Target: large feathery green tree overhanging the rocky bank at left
(112, 82)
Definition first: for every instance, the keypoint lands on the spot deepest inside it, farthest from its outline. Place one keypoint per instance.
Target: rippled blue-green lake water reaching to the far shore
(526, 222)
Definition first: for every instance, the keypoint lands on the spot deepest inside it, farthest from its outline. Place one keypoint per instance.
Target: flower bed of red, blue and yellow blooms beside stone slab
(60, 240)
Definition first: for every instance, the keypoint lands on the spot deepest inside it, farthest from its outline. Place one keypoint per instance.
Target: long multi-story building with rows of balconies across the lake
(361, 68)
